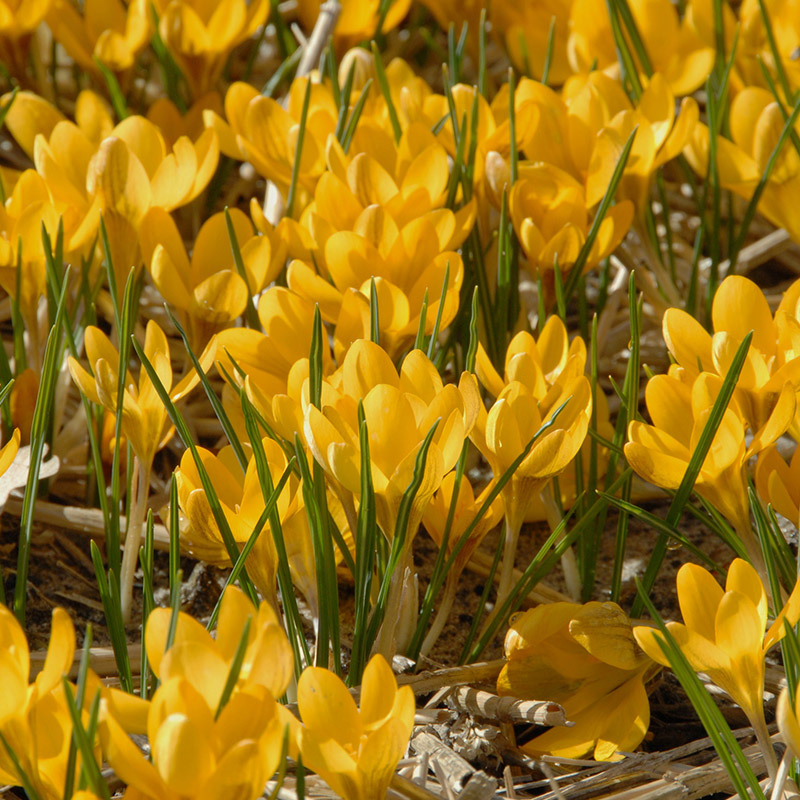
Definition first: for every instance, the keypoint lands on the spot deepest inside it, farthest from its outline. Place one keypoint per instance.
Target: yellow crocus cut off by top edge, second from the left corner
(107, 30)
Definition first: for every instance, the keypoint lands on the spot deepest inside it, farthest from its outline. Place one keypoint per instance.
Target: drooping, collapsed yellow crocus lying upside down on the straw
(585, 658)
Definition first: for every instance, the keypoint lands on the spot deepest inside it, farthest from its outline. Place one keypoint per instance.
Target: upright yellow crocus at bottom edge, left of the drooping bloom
(355, 750)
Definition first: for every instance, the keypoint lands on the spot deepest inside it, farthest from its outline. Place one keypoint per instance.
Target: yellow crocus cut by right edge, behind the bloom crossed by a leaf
(771, 373)
